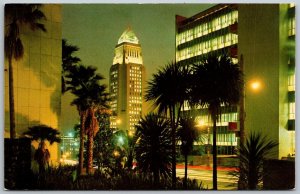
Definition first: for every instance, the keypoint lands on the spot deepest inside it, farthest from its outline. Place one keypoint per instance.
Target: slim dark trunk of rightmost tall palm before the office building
(215, 183)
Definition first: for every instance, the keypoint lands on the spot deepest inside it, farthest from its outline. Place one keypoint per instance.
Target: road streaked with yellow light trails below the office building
(204, 174)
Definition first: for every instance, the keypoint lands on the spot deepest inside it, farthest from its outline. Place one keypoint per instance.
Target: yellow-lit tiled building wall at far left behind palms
(37, 78)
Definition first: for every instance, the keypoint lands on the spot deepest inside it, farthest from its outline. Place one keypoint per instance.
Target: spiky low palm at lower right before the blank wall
(251, 154)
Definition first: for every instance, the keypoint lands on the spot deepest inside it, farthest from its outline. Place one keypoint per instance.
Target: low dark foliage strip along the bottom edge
(60, 178)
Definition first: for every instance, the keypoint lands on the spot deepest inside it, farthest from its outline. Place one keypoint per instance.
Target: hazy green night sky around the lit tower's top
(96, 28)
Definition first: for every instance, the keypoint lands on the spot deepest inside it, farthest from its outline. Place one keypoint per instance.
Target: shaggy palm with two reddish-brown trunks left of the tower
(83, 82)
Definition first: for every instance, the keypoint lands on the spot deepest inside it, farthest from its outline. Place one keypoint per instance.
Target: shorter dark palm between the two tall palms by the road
(187, 134)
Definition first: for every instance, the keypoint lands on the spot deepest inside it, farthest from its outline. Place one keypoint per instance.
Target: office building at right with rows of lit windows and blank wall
(262, 38)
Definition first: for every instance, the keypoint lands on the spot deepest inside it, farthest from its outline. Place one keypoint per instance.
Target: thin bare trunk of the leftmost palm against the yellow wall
(11, 100)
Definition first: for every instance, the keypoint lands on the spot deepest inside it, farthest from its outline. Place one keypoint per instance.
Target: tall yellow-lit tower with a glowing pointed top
(127, 75)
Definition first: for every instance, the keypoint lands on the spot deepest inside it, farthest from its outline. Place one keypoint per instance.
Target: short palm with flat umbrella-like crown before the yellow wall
(41, 133)
